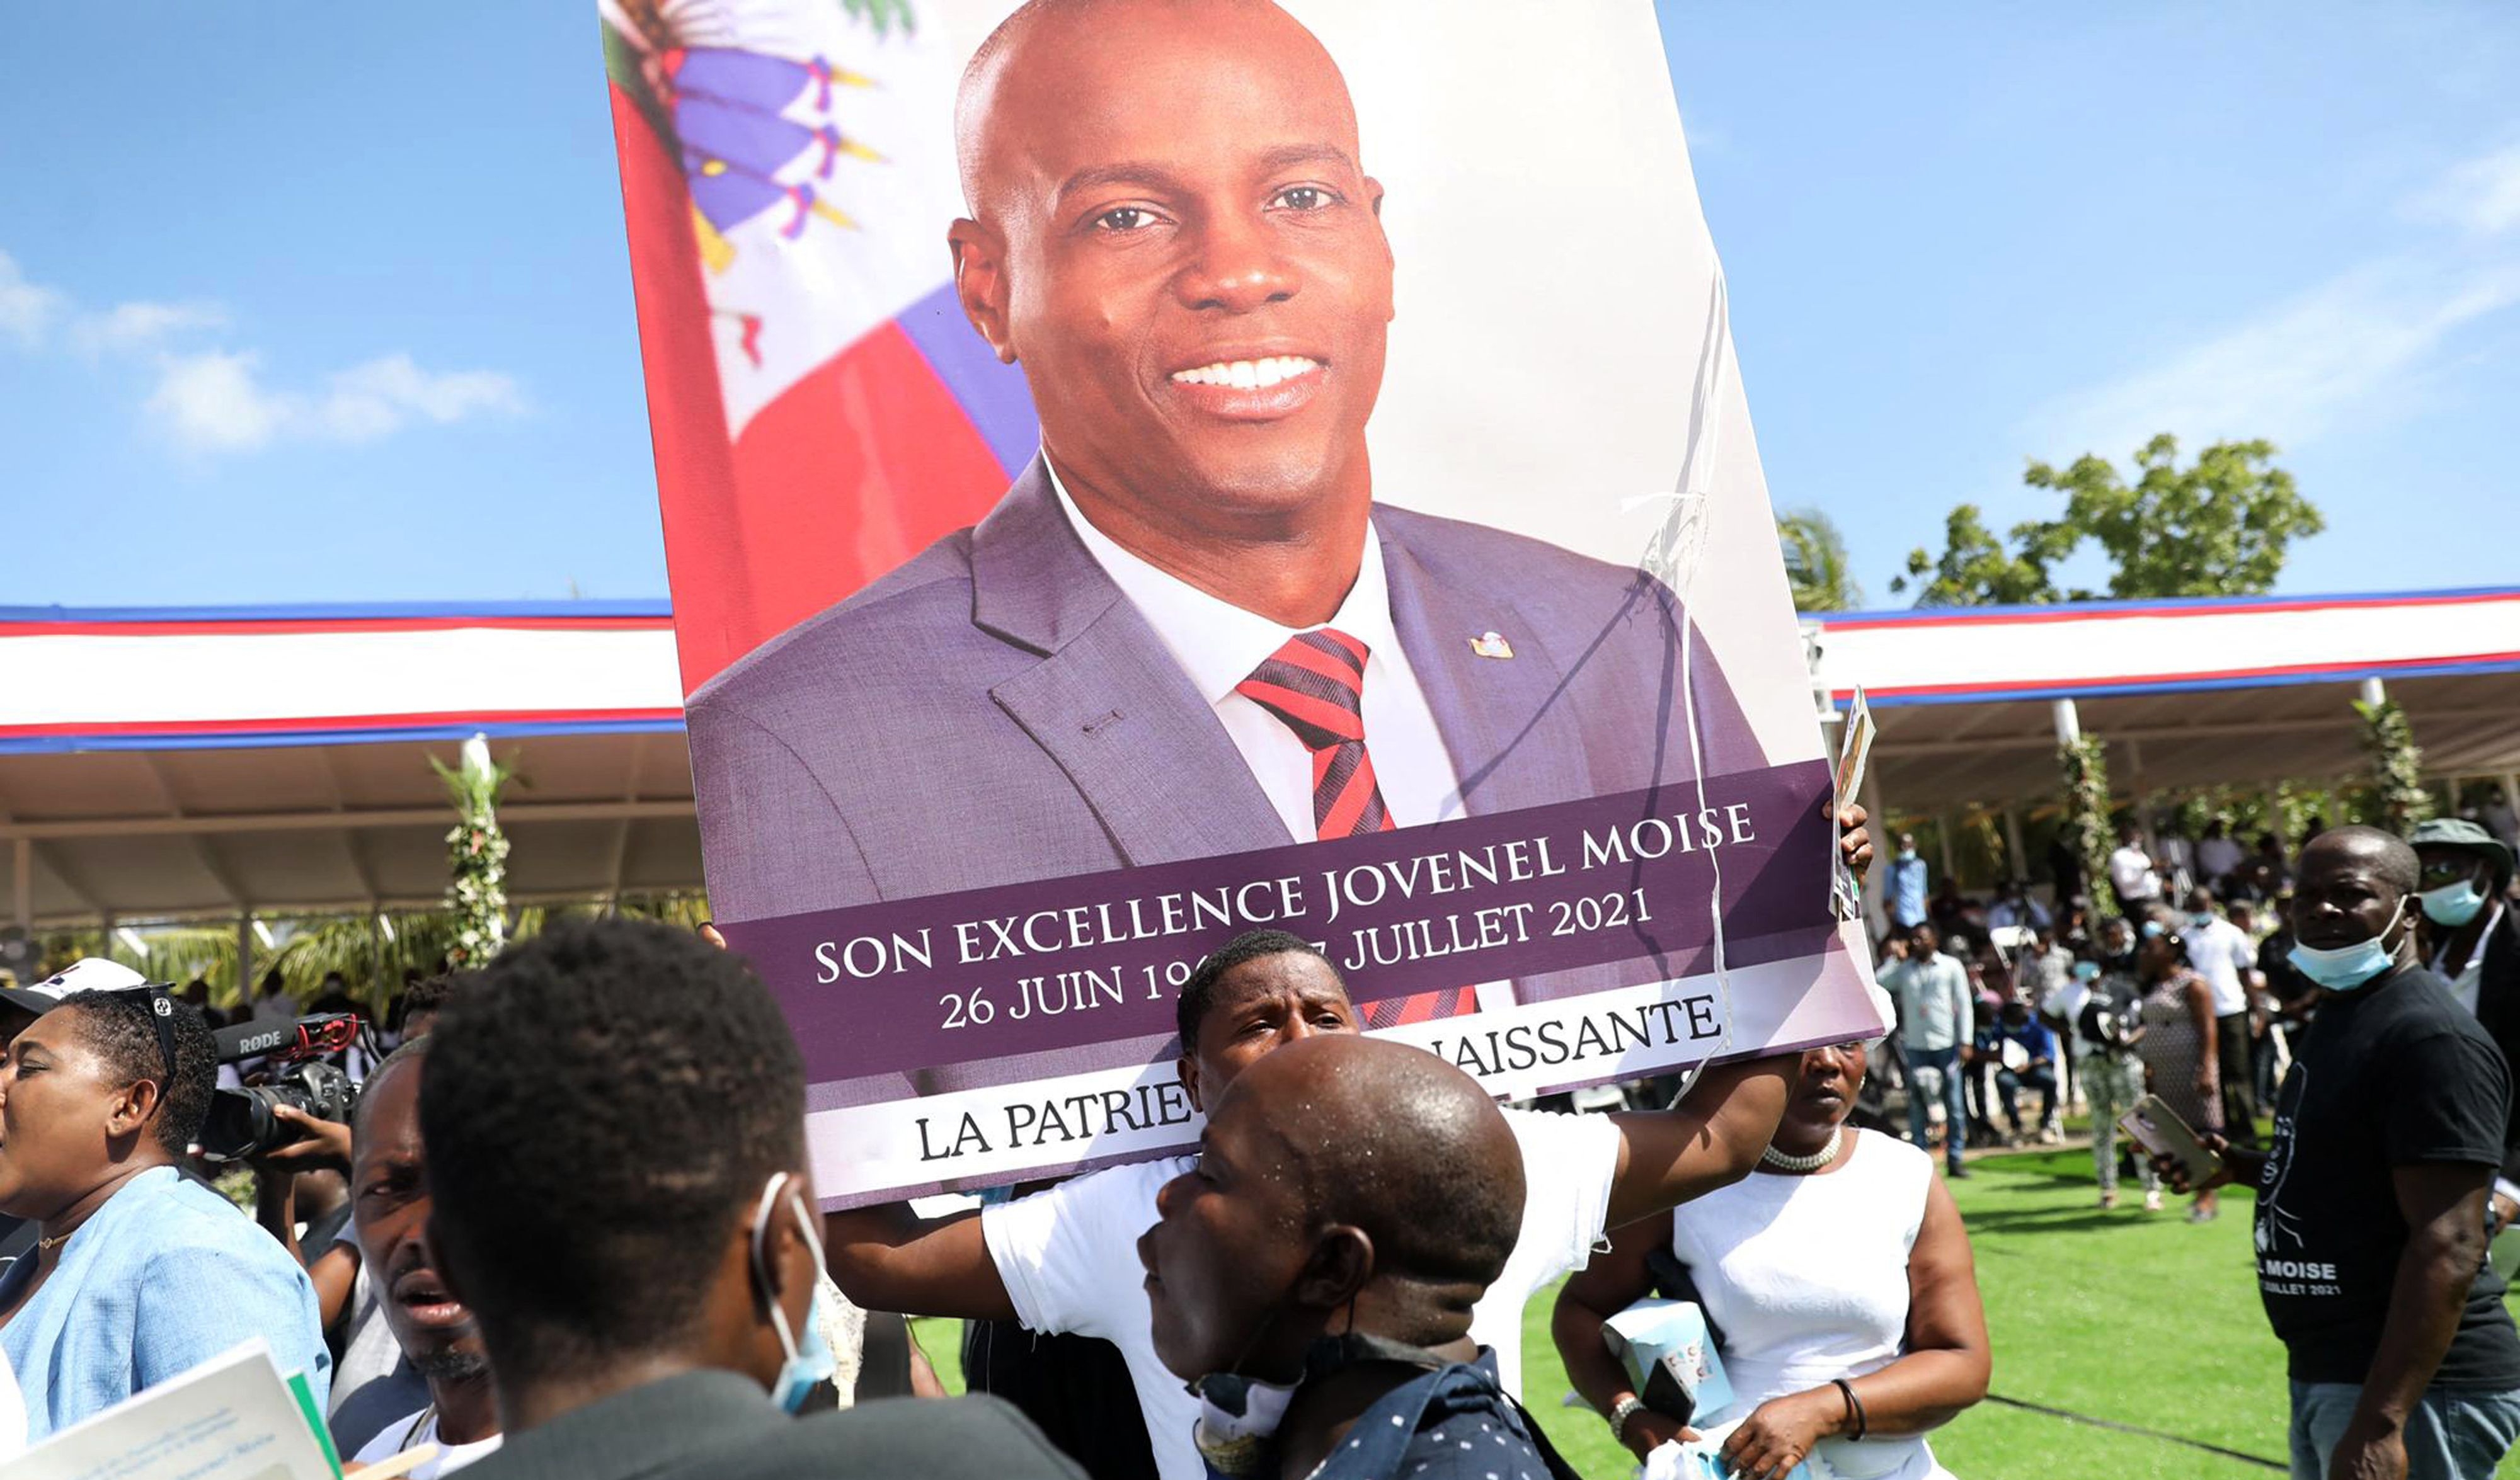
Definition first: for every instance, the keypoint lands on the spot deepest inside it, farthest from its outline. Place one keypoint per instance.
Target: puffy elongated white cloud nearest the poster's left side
(218, 404)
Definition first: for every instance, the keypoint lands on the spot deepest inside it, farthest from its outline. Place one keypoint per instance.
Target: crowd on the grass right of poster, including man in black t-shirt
(2332, 1026)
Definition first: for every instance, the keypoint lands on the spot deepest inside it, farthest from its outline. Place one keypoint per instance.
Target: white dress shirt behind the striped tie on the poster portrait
(1218, 646)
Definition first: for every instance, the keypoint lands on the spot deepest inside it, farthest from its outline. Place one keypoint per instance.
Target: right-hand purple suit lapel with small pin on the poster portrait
(1513, 734)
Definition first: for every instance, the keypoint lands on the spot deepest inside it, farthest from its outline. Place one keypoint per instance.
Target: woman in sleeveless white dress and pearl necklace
(1841, 1290)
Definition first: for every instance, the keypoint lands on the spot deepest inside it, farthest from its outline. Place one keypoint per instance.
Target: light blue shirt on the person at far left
(160, 1280)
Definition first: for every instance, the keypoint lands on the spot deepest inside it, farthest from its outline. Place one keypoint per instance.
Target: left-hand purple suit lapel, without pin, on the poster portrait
(1108, 704)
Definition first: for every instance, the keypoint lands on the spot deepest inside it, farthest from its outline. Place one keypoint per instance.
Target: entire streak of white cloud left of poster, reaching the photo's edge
(215, 401)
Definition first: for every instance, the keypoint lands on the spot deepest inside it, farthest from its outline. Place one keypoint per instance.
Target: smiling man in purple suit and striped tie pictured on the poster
(1193, 625)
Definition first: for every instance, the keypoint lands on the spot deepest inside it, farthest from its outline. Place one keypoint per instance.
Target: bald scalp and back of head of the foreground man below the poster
(1400, 1144)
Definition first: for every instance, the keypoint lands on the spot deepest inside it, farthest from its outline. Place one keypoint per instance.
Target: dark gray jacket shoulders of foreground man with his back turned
(709, 1426)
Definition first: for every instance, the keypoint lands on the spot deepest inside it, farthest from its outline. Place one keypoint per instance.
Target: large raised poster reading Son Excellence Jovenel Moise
(1140, 472)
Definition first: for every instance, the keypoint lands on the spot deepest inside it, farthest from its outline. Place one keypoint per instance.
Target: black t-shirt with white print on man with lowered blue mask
(2388, 1076)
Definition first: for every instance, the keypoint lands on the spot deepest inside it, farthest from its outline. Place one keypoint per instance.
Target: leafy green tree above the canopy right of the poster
(2216, 527)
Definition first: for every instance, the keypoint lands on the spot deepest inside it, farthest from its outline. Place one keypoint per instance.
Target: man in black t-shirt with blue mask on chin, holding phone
(2373, 1202)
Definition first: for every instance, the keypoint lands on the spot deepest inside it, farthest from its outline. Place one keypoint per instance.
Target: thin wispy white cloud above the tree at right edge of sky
(2357, 349)
